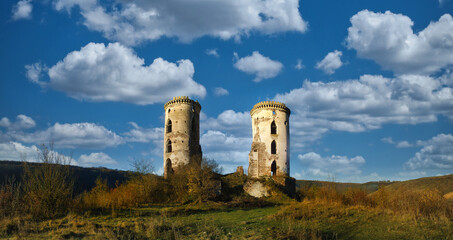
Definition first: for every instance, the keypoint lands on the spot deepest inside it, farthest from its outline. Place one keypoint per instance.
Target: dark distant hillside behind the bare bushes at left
(84, 177)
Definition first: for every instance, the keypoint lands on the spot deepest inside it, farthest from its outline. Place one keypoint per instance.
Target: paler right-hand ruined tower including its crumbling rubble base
(269, 154)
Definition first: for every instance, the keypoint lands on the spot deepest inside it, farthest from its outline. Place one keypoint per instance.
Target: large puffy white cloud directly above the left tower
(114, 73)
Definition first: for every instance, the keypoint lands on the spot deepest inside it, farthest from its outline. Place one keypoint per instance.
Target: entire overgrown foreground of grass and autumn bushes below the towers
(187, 205)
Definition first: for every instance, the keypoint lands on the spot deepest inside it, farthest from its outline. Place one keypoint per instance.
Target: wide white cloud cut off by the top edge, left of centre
(133, 22)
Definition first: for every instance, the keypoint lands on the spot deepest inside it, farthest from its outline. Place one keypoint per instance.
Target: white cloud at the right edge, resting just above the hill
(437, 153)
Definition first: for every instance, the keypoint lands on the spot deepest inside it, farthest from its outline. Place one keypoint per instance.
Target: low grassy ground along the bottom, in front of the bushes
(298, 220)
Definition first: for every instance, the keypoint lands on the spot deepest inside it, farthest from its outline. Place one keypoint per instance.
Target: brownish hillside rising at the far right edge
(442, 183)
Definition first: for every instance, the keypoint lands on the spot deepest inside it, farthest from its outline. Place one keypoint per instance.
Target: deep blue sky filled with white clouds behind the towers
(369, 83)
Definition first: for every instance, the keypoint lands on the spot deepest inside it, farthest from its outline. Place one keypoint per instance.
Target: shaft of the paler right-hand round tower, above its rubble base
(269, 155)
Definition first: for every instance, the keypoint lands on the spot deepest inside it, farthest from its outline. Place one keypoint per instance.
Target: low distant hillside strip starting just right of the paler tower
(341, 187)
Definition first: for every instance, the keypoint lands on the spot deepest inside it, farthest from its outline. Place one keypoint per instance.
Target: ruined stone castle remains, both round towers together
(269, 155)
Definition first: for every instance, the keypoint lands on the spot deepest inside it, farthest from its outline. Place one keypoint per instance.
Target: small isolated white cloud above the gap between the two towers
(259, 65)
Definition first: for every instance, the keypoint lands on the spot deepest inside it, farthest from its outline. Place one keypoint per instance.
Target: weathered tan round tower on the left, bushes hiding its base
(182, 134)
